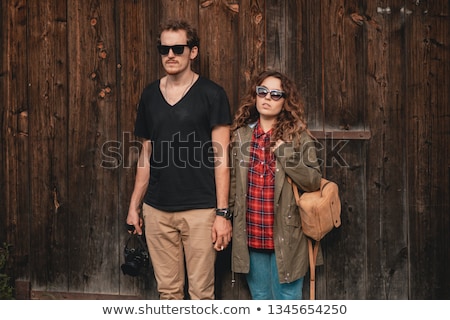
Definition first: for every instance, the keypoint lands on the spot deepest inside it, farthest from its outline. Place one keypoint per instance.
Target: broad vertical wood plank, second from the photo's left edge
(48, 137)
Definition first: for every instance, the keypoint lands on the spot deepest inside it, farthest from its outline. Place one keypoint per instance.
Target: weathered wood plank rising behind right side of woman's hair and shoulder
(304, 65)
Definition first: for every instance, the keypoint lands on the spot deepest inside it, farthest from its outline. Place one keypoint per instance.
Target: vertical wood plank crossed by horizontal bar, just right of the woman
(342, 161)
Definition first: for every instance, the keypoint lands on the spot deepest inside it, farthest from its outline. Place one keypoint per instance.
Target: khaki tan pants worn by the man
(172, 238)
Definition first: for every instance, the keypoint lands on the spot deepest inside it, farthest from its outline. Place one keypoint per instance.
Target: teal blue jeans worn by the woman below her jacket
(263, 279)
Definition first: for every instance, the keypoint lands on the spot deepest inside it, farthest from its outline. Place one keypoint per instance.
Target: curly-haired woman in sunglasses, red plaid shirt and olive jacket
(270, 142)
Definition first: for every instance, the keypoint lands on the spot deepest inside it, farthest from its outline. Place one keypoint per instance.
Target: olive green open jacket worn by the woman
(291, 245)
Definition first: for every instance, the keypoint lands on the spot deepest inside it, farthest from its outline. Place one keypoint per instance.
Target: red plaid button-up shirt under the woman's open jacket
(261, 186)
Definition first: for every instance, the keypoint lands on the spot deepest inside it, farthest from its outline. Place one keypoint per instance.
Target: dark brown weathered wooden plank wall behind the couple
(375, 76)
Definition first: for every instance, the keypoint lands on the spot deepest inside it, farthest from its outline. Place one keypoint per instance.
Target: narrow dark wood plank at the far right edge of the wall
(440, 164)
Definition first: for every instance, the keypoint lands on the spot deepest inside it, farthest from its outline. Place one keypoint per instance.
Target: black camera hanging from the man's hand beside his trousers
(136, 256)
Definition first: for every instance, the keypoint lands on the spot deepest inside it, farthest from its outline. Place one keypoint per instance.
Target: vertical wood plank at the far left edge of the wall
(16, 144)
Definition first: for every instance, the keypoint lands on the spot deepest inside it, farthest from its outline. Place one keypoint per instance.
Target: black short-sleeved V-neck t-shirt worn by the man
(182, 161)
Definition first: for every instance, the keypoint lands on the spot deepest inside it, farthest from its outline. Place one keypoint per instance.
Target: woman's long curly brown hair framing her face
(291, 121)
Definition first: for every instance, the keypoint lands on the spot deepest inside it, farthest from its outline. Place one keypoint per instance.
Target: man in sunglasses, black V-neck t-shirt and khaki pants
(182, 174)
